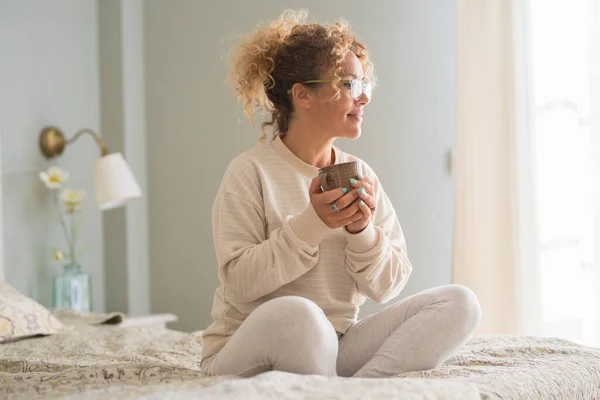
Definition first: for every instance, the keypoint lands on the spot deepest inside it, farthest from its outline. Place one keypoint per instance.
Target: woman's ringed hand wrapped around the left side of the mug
(337, 207)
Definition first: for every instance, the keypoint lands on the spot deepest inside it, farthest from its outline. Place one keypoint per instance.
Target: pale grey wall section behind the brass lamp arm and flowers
(48, 76)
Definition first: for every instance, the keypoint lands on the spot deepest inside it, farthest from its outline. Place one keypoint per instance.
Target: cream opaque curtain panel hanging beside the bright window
(495, 242)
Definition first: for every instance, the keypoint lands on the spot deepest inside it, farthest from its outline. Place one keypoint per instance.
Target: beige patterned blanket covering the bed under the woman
(104, 362)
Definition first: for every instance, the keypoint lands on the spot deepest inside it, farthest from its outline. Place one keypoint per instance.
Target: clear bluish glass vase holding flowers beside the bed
(72, 289)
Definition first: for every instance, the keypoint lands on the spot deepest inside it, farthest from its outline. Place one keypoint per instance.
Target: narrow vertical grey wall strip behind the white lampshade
(123, 120)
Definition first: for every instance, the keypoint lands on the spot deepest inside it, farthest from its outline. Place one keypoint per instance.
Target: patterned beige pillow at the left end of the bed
(22, 317)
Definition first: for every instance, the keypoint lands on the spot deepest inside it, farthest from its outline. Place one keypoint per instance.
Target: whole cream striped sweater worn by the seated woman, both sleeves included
(271, 243)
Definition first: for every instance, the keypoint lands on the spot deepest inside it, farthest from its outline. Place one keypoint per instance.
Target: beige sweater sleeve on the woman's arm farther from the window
(252, 265)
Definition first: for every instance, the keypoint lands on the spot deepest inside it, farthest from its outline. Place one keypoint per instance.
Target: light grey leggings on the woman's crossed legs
(292, 334)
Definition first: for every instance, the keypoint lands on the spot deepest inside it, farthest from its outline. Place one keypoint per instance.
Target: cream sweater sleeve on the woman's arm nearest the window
(376, 258)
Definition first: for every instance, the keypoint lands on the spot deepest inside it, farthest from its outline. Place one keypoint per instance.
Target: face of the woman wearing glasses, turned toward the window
(343, 117)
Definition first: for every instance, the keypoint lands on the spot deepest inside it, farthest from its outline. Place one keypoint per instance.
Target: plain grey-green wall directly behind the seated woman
(195, 127)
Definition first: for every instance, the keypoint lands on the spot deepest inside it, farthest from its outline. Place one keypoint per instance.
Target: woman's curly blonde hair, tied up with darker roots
(270, 60)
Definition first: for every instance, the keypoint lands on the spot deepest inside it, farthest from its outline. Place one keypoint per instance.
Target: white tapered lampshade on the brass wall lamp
(114, 181)
